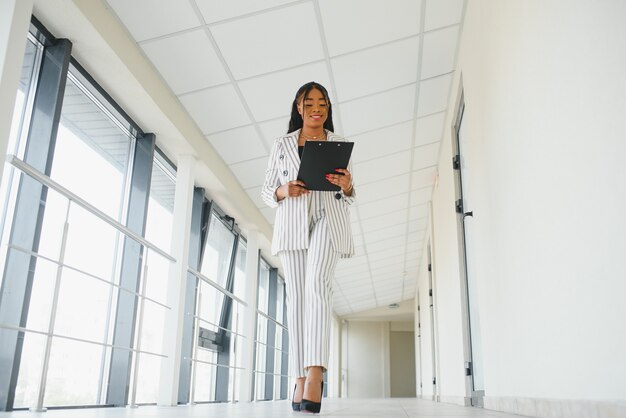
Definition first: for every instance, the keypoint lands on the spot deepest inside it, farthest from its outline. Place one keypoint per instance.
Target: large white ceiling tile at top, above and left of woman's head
(269, 42)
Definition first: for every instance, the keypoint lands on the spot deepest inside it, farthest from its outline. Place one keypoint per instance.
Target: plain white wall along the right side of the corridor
(545, 93)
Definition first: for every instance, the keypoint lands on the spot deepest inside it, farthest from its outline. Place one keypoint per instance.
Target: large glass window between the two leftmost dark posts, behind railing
(91, 159)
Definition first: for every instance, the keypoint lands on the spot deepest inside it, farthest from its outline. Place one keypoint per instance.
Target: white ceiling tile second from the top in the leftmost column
(186, 61)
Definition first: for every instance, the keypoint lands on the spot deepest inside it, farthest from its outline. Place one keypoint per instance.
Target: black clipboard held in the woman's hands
(320, 158)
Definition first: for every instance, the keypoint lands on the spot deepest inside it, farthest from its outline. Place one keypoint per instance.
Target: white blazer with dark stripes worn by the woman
(291, 229)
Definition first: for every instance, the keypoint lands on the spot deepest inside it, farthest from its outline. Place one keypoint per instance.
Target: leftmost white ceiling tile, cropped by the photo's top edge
(144, 21)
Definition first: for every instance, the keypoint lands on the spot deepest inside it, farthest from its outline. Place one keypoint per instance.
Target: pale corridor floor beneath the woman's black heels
(343, 408)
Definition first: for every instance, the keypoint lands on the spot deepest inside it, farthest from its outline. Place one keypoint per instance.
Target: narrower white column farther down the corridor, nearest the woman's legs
(252, 285)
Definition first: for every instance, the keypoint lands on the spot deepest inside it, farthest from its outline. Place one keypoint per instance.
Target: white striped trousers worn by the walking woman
(308, 284)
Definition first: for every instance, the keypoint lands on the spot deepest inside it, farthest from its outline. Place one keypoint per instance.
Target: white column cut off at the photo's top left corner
(14, 22)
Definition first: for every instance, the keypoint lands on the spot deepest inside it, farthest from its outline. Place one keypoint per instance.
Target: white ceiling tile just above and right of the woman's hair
(376, 69)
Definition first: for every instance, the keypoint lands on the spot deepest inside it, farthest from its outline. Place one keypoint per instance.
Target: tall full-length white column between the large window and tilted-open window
(183, 199)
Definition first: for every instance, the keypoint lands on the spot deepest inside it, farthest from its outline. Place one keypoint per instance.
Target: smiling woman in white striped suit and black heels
(311, 232)
